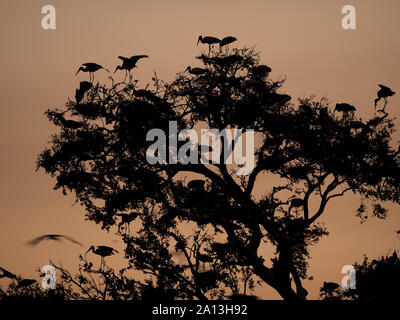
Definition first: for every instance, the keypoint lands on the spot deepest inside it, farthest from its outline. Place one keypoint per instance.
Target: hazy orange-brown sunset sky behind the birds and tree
(301, 40)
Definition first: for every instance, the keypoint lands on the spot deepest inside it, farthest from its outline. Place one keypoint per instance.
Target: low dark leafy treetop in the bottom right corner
(376, 280)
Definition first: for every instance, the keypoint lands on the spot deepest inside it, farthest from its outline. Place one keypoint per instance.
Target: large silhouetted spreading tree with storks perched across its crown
(198, 241)
